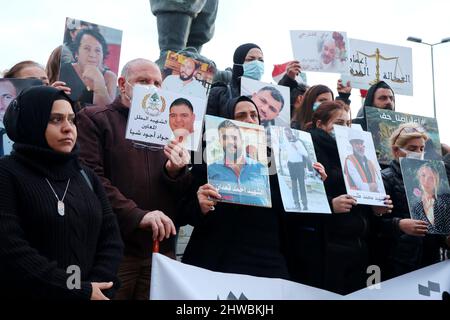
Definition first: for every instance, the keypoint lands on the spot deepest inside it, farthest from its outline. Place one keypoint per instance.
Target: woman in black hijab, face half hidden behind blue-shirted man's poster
(234, 238)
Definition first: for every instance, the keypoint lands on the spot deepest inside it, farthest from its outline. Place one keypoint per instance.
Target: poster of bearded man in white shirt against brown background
(186, 75)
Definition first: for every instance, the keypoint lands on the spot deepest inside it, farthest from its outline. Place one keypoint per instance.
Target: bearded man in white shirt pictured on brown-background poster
(185, 82)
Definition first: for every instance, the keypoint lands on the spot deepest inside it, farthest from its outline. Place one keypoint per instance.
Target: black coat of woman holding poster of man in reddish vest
(338, 256)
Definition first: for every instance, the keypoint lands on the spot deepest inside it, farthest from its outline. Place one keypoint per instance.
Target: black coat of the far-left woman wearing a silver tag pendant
(37, 245)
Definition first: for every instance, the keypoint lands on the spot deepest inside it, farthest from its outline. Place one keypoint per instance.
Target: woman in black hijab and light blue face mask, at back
(251, 56)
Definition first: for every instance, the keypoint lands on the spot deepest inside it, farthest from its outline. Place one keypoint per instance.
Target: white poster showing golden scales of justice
(371, 62)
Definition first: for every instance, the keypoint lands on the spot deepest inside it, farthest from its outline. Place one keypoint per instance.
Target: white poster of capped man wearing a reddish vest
(361, 170)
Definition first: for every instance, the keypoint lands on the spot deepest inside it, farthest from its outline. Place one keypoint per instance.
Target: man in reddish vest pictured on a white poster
(360, 172)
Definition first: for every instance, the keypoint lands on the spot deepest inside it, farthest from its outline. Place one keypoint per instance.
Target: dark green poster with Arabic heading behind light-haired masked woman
(382, 123)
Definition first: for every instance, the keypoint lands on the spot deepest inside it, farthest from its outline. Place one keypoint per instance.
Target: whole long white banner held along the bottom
(173, 280)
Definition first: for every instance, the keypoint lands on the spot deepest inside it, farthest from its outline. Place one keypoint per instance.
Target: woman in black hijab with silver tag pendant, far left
(59, 238)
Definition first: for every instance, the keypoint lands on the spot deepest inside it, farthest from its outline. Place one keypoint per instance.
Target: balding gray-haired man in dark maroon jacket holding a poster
(140, 180)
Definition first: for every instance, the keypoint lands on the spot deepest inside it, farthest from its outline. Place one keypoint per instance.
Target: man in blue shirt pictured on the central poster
(238, 177)
